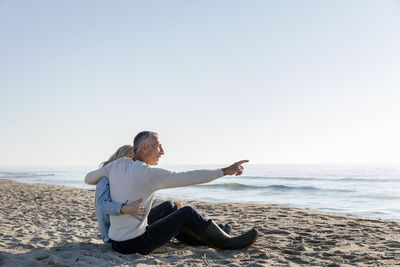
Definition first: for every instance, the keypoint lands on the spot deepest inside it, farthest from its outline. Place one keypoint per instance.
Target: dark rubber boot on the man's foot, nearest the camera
(215, 237)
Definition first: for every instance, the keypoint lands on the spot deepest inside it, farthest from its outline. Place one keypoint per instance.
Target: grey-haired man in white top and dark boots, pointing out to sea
(132, 179)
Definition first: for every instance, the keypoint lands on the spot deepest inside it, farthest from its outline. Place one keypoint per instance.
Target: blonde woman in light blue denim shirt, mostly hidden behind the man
(105, 207)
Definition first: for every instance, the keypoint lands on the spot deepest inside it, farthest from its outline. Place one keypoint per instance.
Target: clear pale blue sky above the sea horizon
(275, 82)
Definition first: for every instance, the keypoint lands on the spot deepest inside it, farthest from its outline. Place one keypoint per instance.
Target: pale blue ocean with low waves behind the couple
(371, 191)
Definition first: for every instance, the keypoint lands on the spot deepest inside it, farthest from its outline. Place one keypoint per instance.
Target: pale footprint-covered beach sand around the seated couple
(44, 225)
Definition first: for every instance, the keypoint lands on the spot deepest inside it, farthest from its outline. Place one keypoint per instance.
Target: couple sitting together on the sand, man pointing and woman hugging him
(133, 180)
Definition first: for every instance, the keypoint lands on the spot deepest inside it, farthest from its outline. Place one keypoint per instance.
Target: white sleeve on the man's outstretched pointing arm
(160, 178)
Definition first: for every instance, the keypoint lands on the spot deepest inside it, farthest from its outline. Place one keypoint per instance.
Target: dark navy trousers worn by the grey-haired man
(162, 229)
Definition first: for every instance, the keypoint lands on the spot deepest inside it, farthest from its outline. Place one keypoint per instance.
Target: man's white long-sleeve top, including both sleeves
(132, 180)
